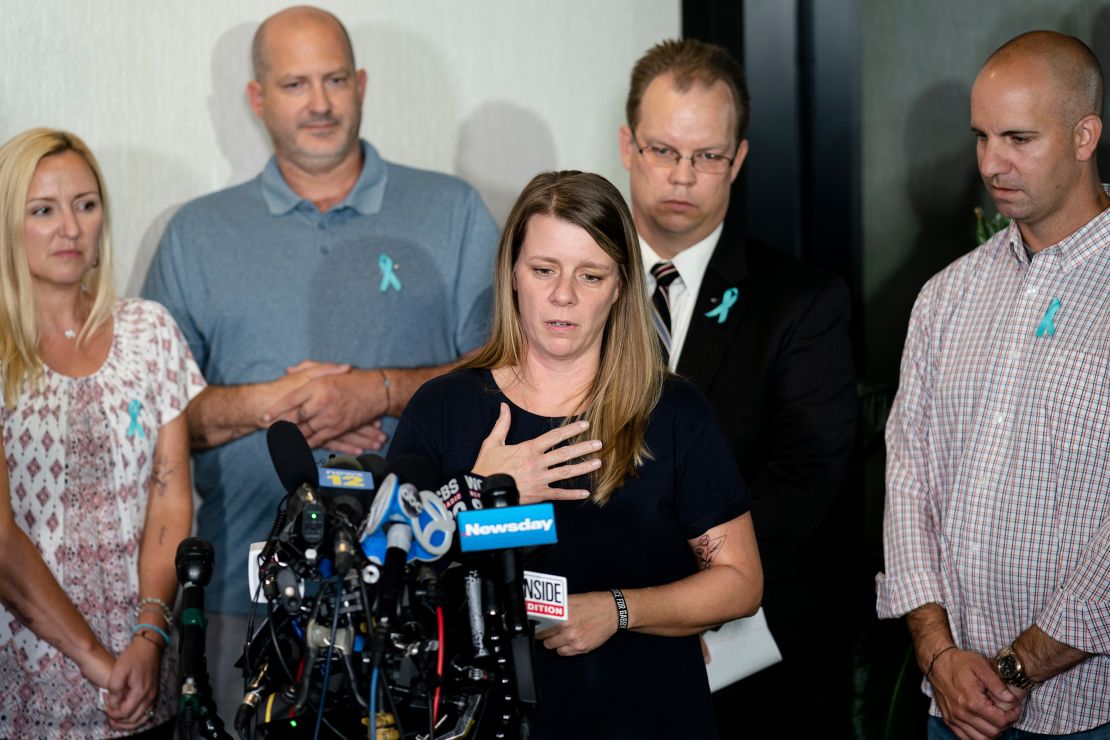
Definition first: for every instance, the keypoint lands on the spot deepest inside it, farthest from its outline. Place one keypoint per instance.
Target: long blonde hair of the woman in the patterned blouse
(19, 327)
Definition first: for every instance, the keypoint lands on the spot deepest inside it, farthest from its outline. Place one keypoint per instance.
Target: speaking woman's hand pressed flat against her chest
(538, 463)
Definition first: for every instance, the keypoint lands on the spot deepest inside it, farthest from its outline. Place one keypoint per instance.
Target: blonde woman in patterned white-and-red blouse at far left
(96, 494)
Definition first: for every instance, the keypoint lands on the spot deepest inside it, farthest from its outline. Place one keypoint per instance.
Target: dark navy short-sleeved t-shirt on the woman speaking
(635, 685)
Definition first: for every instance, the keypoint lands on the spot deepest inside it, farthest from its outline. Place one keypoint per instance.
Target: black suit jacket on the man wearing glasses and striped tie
(780, 376)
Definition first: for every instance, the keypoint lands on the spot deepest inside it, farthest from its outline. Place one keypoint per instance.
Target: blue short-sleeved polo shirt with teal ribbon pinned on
(397, 276)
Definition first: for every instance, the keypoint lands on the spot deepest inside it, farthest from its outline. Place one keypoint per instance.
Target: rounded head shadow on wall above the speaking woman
(501, 148)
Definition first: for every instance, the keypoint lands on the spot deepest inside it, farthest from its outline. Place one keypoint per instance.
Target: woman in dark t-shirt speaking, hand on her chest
(654, 533)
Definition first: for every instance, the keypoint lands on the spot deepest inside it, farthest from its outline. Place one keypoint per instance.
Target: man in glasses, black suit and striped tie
(765, 337)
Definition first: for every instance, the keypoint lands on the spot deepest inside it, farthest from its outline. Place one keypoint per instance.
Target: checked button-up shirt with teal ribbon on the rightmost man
(998, 474)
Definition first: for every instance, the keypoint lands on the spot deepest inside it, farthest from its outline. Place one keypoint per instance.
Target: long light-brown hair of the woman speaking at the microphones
(630, 379)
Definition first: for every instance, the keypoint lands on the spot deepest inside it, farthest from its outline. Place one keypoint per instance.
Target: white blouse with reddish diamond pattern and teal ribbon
(80, 453)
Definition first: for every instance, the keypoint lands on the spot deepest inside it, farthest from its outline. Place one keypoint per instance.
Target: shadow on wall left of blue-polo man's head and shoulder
(240, 136)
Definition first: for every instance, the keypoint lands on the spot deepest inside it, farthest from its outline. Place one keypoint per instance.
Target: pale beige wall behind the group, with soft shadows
(491, 90)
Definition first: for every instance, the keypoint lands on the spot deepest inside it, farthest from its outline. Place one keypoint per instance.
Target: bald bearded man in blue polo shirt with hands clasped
(326, 291)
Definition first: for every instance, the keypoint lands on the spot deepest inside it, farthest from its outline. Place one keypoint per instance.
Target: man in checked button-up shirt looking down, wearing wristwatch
(997, 530)
